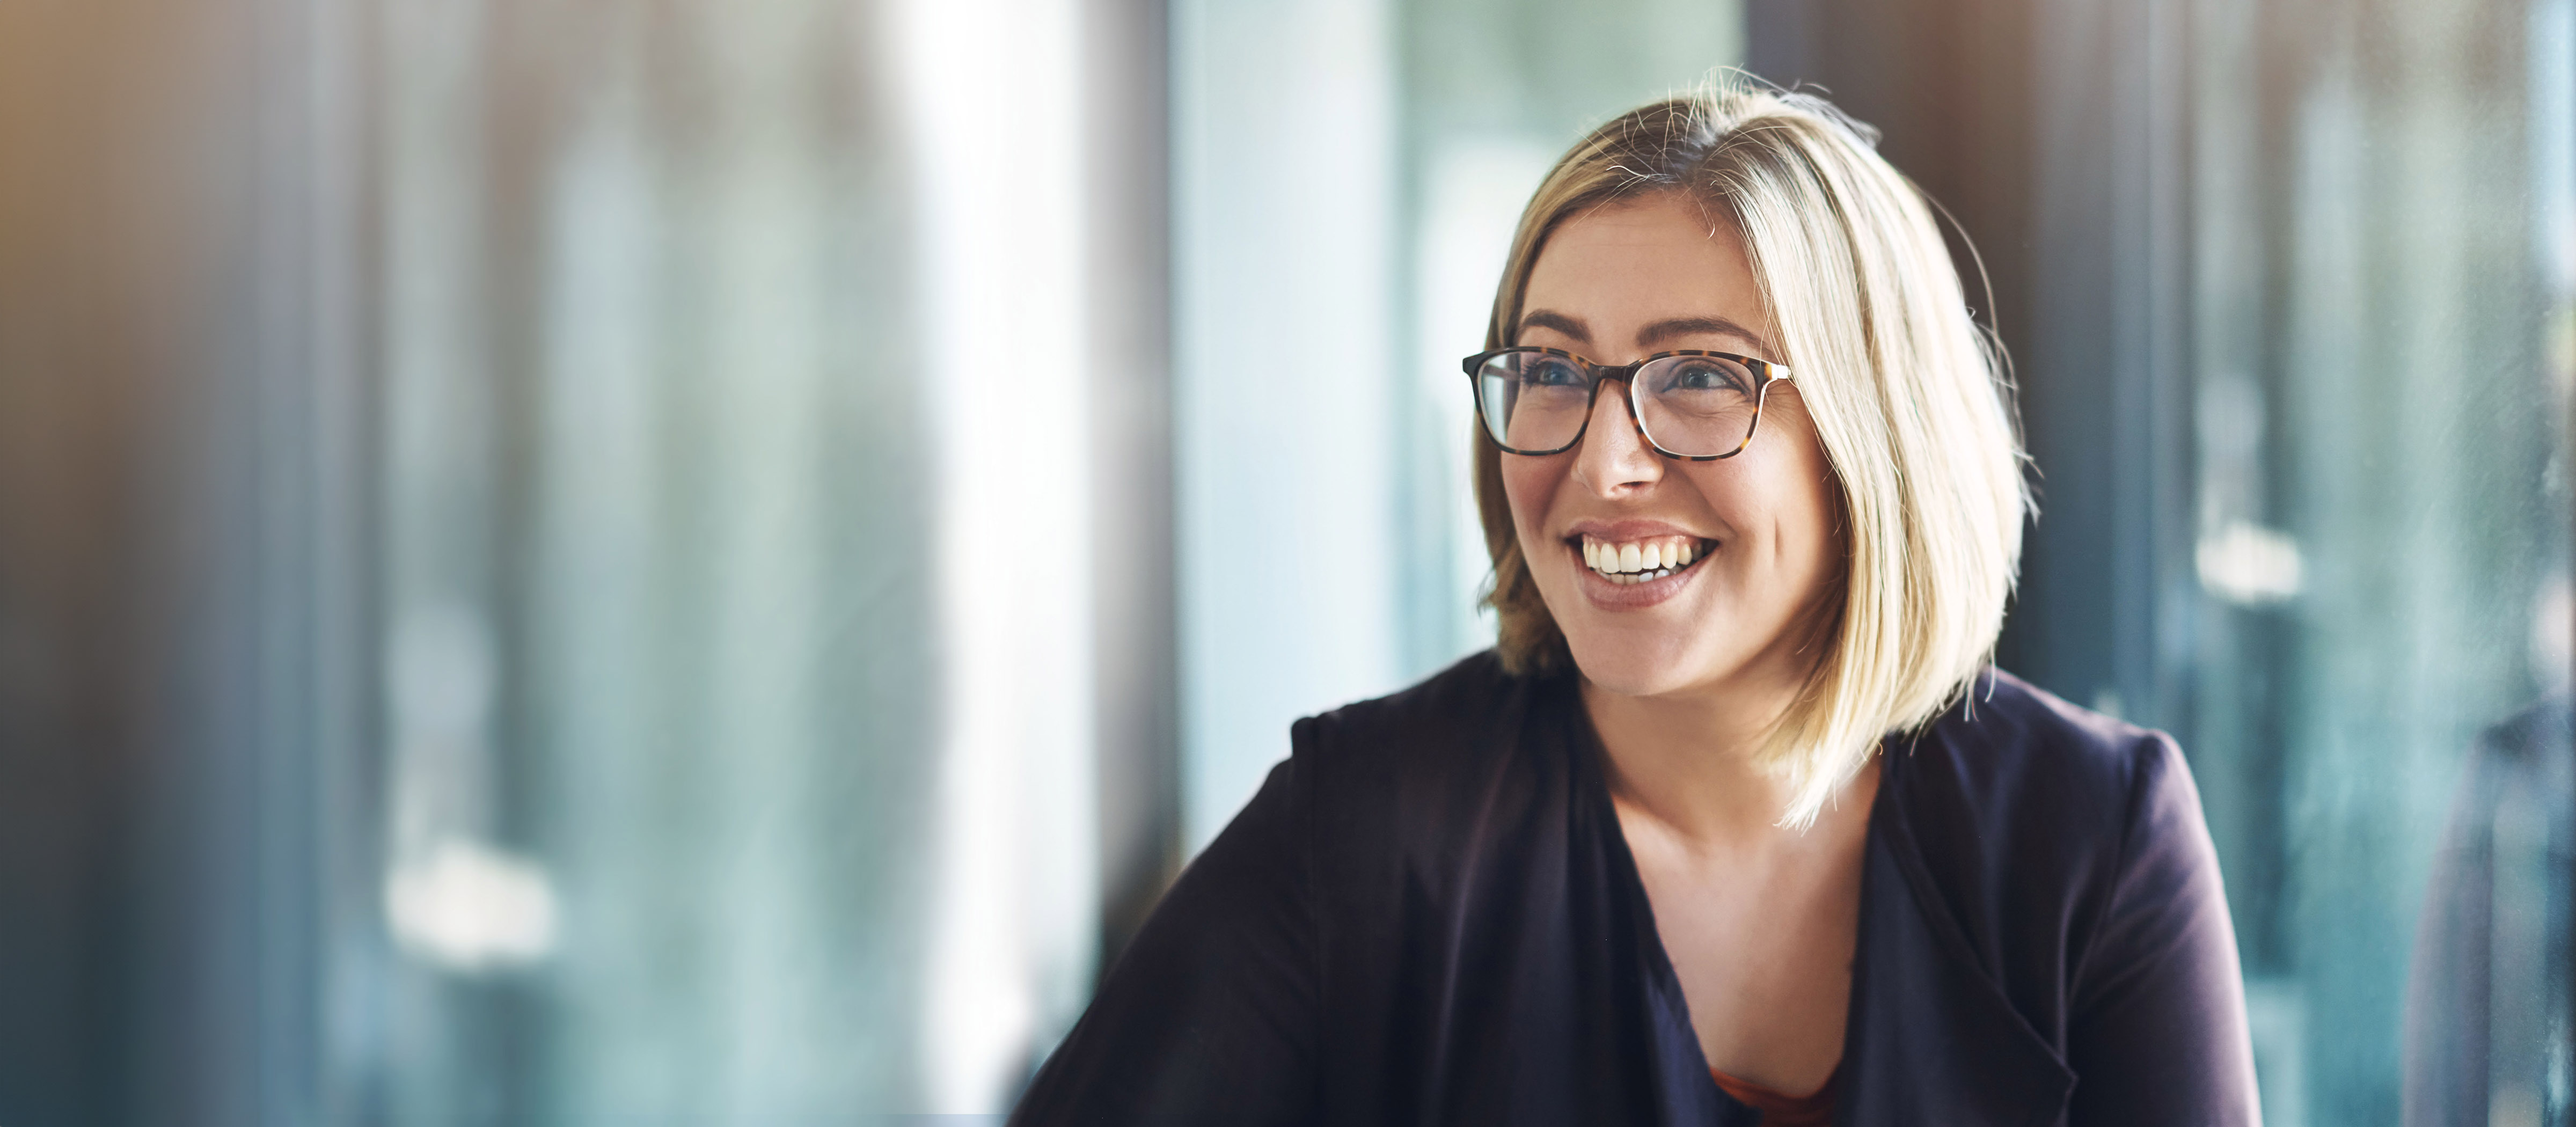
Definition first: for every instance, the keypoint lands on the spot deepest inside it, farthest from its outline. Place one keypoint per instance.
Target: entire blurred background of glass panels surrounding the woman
(671, 562)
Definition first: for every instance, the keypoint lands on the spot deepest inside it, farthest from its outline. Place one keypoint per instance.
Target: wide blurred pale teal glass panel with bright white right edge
(738, 681)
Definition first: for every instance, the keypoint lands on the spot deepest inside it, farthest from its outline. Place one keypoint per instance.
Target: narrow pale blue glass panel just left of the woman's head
(1282, 225)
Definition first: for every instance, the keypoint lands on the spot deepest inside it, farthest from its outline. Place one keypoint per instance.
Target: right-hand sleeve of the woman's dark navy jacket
(2157, 1015)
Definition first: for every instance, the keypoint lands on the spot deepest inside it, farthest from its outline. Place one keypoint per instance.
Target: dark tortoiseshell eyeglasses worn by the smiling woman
(1686, 405)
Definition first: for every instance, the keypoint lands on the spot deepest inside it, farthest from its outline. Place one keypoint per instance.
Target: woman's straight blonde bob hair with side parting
(1908, 395)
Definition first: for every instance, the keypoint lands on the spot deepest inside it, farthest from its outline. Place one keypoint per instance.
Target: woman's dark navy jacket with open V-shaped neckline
(1431, 917)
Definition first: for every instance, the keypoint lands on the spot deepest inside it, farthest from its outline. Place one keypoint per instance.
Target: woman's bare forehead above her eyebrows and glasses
(1640, 264)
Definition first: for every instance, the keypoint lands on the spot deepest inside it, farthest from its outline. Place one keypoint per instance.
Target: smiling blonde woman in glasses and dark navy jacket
(1735, 825)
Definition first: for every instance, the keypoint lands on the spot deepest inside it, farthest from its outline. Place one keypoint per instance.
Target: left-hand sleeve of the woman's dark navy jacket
(1209, 1018)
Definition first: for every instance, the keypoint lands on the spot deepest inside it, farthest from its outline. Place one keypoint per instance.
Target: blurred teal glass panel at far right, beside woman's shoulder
(2379, 681)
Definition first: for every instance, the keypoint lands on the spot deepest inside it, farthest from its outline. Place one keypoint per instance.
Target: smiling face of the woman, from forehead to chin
(1763, 534)
